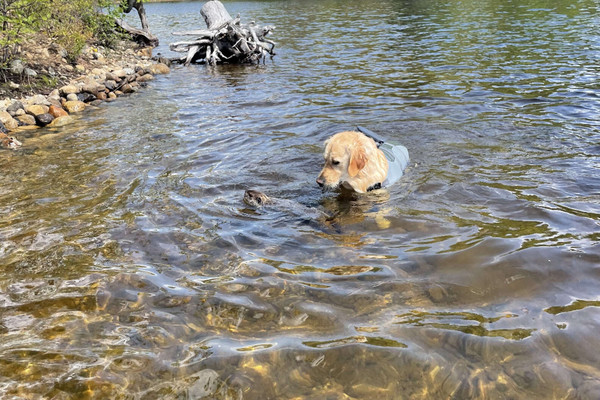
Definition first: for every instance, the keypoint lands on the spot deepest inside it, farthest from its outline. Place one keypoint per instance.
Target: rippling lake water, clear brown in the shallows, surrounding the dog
(131, 268)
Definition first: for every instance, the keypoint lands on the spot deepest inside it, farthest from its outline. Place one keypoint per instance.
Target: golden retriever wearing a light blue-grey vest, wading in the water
(357, 162)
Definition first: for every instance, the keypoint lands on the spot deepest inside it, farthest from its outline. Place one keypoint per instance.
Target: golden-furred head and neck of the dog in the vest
(352, 161)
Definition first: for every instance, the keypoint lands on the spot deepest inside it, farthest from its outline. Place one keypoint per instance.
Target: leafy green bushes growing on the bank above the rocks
(70, 23)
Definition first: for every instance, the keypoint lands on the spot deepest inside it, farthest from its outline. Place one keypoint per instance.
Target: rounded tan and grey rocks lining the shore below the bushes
(99, 75)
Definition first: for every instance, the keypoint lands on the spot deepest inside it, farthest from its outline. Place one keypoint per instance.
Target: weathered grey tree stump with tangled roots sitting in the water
(225, 41)
